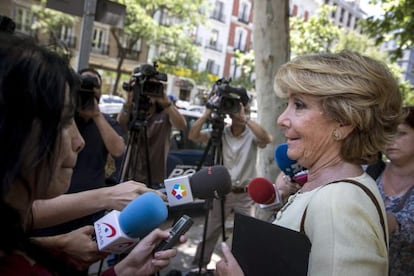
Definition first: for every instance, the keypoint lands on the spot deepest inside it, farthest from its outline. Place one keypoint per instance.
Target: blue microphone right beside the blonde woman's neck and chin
(290, 167)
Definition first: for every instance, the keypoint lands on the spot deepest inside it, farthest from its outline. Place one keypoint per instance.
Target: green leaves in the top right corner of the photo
(395, 24)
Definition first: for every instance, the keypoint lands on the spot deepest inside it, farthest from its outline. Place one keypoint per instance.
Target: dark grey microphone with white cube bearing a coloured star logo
(207, 183)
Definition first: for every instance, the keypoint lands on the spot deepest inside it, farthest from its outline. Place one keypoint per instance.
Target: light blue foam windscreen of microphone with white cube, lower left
(142, 215)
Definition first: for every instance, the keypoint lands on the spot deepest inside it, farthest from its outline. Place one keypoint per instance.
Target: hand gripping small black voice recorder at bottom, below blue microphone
(142, 261)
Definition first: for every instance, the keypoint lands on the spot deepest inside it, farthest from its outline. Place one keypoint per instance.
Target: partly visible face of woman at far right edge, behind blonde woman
(401, 149)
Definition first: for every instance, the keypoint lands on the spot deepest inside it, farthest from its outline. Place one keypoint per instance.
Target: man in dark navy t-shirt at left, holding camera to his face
(102, 136)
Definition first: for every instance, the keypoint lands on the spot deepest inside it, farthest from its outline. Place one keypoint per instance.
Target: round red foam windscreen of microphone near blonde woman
(261, 190)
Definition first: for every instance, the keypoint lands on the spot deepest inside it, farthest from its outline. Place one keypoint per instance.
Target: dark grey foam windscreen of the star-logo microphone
(211, 182)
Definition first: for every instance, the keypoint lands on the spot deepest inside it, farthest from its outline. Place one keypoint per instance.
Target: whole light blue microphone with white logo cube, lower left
(118, 231)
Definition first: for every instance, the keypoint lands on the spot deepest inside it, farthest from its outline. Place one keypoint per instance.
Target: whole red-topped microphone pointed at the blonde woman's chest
(262, 191)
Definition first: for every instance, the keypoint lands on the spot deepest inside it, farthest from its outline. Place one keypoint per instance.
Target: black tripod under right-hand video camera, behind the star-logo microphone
(215, 147)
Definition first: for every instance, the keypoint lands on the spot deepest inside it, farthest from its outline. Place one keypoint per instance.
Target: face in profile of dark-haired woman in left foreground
(71, 144)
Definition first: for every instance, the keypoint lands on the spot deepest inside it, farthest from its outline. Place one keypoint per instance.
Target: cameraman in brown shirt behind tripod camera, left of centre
(160, 116)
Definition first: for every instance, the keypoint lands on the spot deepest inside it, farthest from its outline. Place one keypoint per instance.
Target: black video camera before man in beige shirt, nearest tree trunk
(226, 99)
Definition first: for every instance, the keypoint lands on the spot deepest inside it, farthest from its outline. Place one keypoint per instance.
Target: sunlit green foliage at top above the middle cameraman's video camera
(171, 37)
